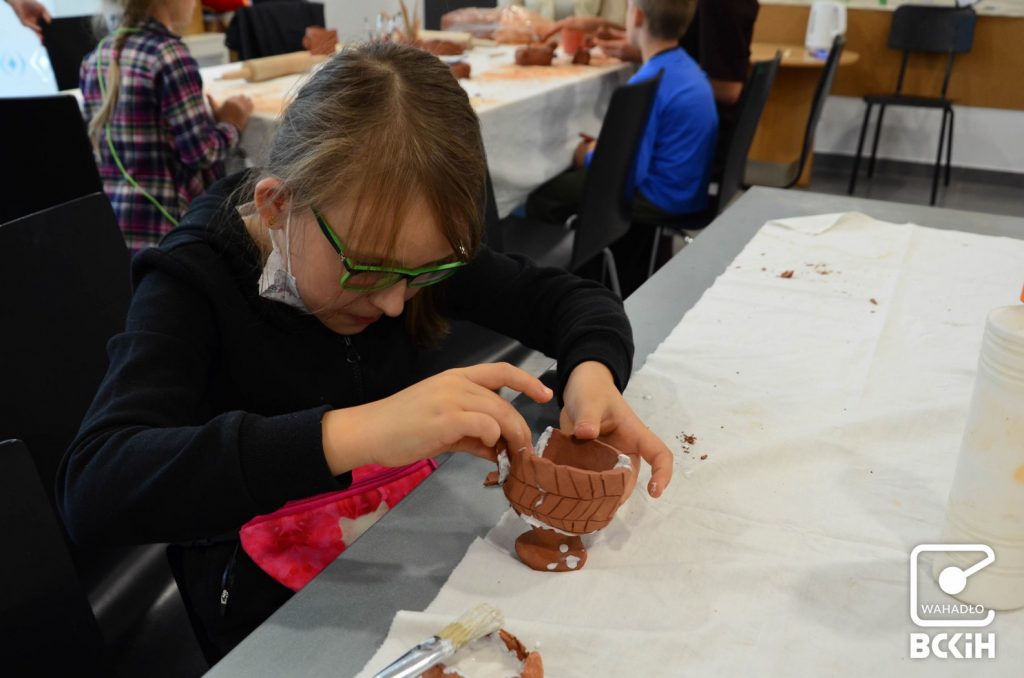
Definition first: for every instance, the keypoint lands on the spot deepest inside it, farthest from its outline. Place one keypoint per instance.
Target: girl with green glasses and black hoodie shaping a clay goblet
(275, 337)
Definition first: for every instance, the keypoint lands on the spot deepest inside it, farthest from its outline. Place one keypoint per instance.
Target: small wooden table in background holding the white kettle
(784, 123)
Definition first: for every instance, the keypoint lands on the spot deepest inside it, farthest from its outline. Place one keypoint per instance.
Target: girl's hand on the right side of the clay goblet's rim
(594, 407)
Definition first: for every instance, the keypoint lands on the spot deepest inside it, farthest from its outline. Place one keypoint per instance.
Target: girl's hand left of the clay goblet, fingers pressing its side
(456, 410)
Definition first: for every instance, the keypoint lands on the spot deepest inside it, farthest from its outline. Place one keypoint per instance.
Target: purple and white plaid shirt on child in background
(161, 130)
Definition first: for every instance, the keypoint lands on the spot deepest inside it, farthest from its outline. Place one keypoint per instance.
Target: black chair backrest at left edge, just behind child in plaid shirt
(48, 158)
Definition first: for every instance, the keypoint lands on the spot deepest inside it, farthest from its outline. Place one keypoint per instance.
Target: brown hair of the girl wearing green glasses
(380, 125)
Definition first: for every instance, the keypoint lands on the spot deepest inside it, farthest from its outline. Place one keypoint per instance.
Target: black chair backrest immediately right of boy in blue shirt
(749, 110)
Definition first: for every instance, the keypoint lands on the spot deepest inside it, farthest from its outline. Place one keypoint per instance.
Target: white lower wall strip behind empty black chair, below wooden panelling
(984, 139)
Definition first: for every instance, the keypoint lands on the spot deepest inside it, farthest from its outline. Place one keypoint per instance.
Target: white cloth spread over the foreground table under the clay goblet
(831, 406)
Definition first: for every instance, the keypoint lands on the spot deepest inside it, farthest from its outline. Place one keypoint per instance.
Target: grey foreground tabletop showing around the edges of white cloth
(333, 626)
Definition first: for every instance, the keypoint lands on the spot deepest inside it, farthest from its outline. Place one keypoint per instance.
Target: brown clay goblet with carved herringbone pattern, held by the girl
(574, 489)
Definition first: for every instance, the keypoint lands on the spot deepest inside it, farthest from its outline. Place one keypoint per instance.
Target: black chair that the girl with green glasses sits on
(66, 273)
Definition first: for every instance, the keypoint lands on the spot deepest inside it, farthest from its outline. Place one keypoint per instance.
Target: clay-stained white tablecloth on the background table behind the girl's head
(530, 117)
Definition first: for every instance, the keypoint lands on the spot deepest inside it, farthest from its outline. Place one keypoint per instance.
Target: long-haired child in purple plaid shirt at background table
(144, 101)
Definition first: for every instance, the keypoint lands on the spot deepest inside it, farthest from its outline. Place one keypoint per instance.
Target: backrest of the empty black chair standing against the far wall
(936, 30)
